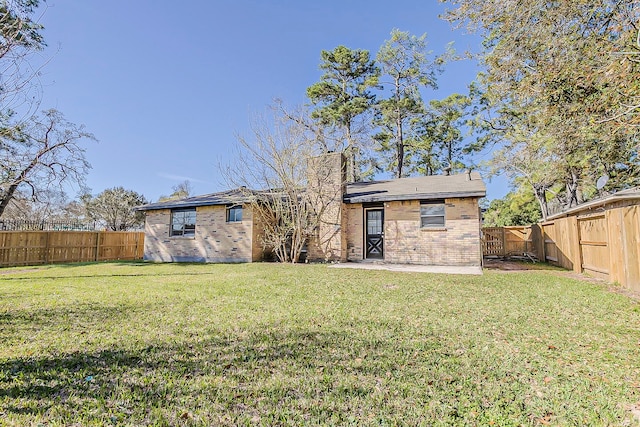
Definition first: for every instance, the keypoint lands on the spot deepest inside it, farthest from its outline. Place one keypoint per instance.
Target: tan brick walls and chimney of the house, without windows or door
(339, 236)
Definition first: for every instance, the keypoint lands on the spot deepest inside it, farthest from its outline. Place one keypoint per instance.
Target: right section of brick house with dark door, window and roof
(428, 220)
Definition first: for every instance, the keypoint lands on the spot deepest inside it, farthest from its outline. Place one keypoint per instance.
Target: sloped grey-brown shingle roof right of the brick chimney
(418, 188)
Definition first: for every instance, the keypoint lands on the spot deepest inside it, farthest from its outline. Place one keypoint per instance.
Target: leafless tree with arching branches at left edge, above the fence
(40, 154)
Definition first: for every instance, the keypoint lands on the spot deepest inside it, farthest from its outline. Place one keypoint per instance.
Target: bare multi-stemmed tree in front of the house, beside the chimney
(277, 163)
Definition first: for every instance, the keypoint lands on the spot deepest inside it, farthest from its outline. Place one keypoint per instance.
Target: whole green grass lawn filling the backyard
(131, 344)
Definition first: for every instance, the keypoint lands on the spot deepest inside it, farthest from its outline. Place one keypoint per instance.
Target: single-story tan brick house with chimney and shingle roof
(430, 220)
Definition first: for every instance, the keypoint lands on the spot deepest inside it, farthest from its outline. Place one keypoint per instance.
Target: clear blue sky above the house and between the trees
(166, 86)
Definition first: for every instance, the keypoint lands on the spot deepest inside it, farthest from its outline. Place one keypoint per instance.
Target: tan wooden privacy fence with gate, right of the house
(605, 244)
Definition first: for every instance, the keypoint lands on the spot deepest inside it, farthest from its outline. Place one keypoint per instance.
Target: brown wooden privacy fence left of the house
(47, 247)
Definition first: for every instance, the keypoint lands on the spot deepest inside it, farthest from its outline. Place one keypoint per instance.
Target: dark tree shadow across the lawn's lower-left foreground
(265, 370)
